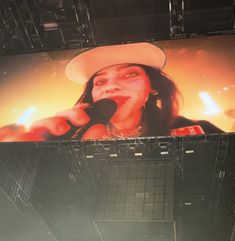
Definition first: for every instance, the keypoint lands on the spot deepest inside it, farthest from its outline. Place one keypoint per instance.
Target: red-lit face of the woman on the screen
(127, 84)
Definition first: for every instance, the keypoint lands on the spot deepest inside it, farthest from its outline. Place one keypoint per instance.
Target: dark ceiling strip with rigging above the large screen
(39, 25)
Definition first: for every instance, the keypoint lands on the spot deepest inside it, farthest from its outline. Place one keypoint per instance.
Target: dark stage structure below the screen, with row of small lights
(156, 188)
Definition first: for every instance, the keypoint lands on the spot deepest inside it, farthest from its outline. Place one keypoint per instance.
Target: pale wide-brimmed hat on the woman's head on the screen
(83, 66)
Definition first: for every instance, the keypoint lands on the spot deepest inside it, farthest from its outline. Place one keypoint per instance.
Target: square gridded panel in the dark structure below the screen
(136, 191)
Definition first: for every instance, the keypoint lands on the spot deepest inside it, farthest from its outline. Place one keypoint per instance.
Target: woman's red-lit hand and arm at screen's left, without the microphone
(48, 128)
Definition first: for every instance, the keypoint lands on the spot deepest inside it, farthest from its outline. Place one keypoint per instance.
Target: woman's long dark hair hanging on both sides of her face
(160, 110)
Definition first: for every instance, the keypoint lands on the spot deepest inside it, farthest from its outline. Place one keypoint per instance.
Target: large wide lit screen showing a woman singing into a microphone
(177, 88)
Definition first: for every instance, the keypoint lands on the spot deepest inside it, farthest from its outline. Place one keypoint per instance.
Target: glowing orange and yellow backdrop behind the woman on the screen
(196, 65)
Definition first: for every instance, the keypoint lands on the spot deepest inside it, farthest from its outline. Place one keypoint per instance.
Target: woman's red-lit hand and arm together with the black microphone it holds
(70, 124)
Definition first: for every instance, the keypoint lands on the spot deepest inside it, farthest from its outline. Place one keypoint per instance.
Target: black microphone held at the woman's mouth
(100, 113)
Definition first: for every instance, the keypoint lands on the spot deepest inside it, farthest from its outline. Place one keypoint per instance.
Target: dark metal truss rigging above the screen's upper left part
(30, 26)
